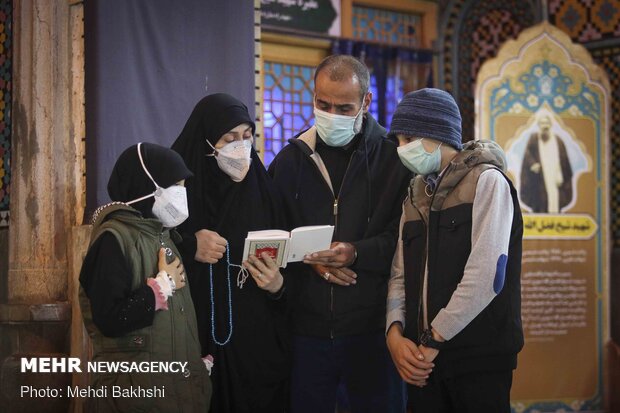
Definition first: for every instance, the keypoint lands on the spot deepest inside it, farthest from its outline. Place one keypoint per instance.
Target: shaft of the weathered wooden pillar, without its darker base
(45, 153)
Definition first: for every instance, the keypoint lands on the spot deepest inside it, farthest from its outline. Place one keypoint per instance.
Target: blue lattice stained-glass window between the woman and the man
(287, 104)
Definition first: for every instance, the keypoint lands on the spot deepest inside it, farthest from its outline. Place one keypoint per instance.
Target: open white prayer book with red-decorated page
(284, 246)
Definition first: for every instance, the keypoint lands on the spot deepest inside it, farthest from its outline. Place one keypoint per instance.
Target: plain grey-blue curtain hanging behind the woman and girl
(148, 62)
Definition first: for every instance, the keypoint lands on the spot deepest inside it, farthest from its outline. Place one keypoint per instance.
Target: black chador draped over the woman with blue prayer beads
(217, 203)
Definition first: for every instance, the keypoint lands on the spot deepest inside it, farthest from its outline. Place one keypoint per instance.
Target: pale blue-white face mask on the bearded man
(337, 130)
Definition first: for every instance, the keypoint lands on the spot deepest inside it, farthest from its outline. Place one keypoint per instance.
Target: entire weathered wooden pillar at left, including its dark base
(47, 194)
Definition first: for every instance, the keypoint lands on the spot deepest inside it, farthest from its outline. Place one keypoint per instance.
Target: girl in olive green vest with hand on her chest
(134, 298)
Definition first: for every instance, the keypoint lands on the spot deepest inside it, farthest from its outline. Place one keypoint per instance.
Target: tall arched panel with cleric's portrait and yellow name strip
(546, 102)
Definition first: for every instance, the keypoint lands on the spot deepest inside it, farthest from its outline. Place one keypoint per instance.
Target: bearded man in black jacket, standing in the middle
(343, 171)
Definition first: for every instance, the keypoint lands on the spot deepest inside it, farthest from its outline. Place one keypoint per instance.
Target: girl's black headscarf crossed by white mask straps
(129, 181)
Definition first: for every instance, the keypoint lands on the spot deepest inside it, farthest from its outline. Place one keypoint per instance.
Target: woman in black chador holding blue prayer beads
(229, 195)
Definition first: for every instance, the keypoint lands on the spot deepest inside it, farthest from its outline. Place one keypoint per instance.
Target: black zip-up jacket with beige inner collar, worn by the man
(365, 212)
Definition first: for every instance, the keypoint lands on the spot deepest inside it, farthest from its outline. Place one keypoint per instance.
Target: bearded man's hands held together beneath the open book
(332, 264)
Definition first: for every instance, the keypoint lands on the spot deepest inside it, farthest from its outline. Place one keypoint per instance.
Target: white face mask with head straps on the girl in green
(170, 205)
